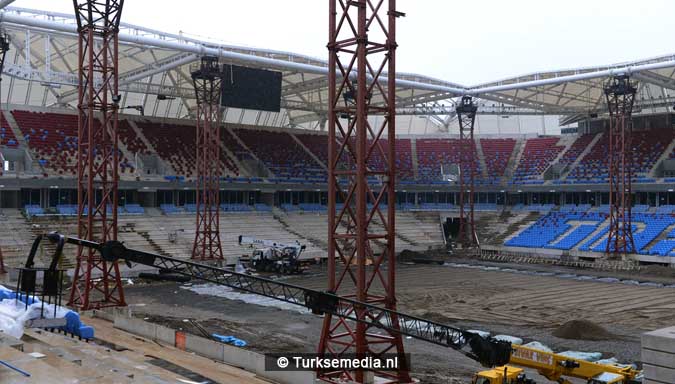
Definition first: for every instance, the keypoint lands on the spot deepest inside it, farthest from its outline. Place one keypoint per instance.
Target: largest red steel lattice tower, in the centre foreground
(362, 44)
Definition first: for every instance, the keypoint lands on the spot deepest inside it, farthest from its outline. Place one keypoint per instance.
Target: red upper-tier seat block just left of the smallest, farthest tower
(432, 153)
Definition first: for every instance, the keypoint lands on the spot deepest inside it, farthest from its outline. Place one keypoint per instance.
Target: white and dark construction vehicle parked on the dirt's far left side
(274, 256)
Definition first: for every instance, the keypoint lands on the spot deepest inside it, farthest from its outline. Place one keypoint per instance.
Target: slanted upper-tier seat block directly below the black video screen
(287, 160)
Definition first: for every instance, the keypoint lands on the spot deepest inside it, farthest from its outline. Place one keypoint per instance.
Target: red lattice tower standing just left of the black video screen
(207, 80)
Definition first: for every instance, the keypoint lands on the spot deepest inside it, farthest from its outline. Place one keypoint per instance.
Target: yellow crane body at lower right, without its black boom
(556, 368)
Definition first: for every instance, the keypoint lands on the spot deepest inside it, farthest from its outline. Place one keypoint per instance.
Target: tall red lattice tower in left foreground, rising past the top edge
(97, 284)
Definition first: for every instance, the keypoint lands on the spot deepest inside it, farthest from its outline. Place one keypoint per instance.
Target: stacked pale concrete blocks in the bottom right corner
(658, 356)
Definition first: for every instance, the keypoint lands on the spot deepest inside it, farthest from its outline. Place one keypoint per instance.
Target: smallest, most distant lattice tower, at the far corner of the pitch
(466, 116)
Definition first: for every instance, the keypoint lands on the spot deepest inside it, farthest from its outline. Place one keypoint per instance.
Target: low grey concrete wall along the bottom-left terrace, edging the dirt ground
(230, 355)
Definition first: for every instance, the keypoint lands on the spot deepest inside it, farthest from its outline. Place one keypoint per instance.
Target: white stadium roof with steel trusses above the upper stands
(41, 70)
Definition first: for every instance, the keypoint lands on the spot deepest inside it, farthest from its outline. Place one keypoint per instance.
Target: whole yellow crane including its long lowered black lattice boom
(503, 359)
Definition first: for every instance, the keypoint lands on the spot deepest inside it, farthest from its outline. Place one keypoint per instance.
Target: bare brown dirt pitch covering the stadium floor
(519, 304)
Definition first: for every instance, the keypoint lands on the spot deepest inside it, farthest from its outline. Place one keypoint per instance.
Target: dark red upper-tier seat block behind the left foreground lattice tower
(53, 138)
